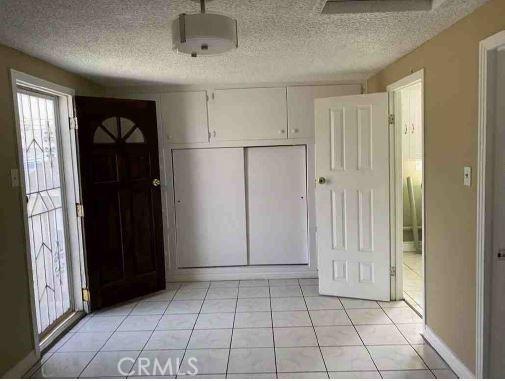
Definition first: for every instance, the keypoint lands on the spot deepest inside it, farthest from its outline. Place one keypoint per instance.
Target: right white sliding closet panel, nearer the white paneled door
(277, 207)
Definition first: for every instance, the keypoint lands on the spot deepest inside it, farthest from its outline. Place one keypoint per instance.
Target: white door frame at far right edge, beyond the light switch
(485, 164)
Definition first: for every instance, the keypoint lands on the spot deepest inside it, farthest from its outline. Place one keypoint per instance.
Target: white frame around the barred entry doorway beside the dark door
(72, 193)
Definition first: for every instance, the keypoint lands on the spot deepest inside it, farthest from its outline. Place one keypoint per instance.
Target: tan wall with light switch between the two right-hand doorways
(450, 61)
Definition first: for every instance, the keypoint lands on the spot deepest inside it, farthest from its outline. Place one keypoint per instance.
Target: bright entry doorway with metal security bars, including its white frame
(50, 192)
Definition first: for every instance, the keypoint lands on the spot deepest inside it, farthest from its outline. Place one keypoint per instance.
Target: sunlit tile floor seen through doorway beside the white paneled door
(413, 280)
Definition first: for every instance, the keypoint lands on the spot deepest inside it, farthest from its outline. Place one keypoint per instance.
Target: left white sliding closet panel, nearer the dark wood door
(210, 207)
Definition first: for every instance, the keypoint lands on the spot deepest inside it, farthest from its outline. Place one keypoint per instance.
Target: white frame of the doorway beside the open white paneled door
(396, 189)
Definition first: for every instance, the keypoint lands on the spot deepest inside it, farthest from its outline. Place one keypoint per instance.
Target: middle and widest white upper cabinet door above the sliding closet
(243, 114)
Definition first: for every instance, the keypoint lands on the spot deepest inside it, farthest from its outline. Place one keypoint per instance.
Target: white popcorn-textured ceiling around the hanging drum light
(128, 42)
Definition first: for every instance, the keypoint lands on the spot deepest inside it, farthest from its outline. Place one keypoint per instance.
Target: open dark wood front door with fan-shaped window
(118, 159)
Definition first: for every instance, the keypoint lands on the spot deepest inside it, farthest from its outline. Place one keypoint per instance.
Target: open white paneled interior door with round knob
(352, 205)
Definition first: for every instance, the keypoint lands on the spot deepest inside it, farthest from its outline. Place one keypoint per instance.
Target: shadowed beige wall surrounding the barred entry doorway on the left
(15, 319)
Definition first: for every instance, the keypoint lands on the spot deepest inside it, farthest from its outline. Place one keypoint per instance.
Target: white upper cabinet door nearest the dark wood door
(184, 116)
